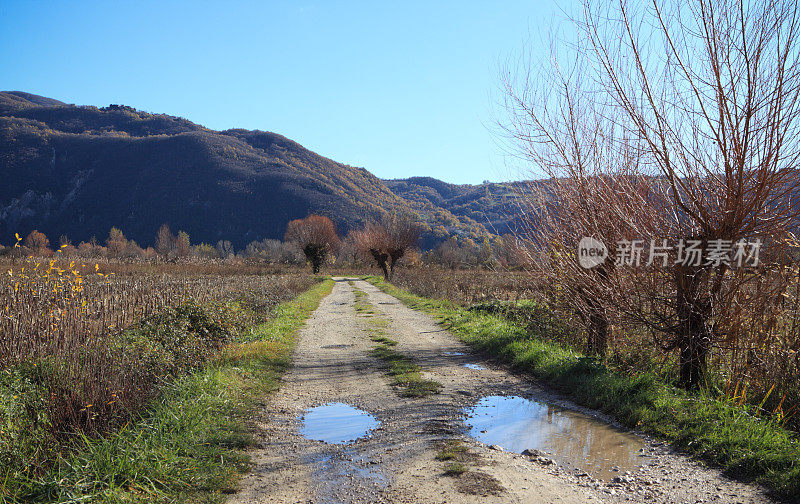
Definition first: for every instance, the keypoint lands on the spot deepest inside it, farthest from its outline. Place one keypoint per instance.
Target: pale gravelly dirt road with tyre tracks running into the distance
(397, 462)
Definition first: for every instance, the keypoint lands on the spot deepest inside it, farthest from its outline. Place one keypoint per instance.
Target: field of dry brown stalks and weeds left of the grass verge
(89, 349)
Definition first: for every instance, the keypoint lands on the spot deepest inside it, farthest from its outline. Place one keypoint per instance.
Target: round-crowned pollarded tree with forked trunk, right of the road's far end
(387, 241)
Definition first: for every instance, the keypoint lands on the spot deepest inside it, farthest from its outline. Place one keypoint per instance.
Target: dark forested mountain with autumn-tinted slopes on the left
(79, 170)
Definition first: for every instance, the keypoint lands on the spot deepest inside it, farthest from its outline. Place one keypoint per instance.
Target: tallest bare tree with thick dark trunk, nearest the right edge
(705, 98)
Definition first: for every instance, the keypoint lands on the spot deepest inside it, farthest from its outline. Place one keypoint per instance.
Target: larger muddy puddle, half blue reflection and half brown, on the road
(572, 439)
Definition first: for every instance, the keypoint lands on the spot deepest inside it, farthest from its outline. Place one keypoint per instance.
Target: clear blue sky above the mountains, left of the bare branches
(400, 88)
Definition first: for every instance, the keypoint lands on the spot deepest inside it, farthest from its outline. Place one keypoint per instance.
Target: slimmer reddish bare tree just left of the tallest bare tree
(594, 189)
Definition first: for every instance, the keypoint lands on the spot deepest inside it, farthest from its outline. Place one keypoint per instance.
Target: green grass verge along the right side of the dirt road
(731, 437)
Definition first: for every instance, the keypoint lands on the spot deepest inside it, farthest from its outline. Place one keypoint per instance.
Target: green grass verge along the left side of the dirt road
(187, 446)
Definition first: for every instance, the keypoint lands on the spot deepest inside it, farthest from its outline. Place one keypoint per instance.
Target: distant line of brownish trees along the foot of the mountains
(314, 240)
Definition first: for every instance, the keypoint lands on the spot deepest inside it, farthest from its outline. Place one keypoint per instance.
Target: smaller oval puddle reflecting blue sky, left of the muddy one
(336, 423)
